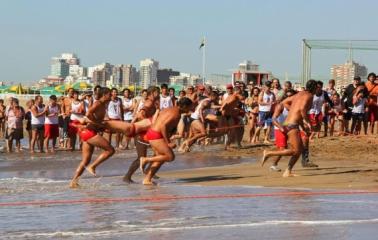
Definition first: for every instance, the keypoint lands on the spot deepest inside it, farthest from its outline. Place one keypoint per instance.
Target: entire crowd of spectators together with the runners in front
(158, 119)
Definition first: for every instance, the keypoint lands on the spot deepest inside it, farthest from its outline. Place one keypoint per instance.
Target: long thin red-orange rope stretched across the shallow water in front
(178, 197)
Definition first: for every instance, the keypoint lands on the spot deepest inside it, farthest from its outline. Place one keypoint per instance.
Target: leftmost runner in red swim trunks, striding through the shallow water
(91, 124)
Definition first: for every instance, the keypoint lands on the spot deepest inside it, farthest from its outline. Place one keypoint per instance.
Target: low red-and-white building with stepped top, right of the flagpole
(249, 72)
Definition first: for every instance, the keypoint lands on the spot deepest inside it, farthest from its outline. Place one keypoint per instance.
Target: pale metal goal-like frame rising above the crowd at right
(308, 45)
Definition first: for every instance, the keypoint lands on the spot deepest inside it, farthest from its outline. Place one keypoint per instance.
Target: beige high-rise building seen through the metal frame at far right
(344, 73)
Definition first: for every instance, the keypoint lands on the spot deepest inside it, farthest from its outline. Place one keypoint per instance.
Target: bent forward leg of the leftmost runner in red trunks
(99, 141)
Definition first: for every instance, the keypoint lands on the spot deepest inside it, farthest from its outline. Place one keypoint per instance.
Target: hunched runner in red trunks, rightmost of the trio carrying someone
(159, 138)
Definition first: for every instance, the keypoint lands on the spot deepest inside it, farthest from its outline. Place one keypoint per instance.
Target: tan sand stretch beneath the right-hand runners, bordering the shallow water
(344, 163)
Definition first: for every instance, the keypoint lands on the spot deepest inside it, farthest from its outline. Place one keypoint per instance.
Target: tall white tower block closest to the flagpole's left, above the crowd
(148, 72)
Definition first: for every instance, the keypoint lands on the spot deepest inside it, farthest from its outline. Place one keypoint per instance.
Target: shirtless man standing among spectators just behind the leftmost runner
(66, 114)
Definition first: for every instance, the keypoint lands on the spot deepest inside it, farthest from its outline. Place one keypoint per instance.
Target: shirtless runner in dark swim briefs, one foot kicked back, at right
(298, 106)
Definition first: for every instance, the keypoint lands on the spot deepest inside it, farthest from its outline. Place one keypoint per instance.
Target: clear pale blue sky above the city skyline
(266, 32)
